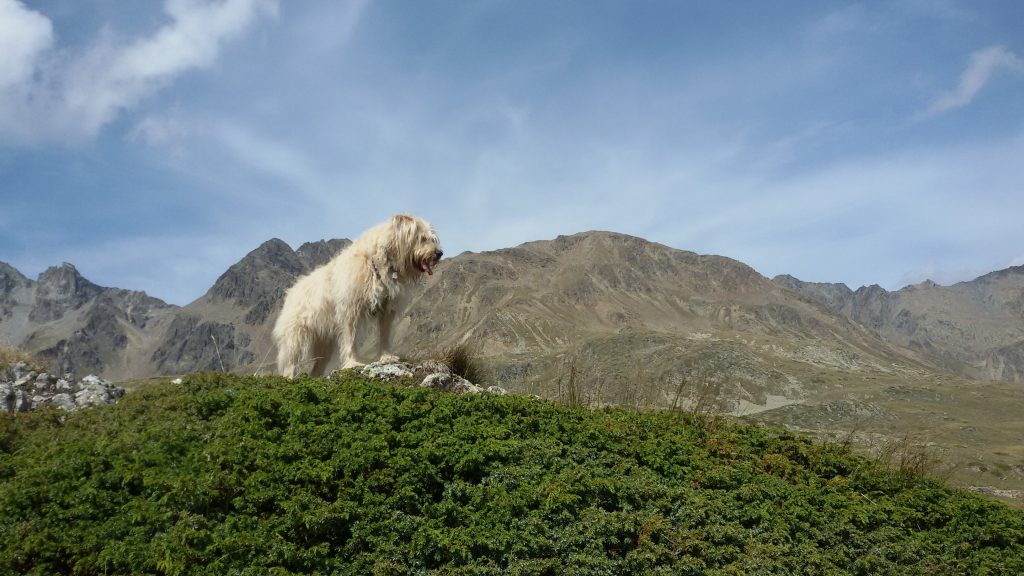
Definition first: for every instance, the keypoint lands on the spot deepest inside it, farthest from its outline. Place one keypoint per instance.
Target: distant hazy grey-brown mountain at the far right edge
(975, 328)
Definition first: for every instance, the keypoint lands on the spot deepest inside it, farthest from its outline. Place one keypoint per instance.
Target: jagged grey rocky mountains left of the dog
(120, 335)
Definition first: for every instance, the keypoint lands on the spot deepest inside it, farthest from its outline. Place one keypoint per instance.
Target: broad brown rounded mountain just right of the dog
(629, 308)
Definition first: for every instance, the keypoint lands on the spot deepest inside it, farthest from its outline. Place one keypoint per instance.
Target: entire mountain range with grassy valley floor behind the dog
(601, 318)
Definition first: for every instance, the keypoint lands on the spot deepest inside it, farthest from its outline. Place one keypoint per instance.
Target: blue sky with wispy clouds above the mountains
(155, 143)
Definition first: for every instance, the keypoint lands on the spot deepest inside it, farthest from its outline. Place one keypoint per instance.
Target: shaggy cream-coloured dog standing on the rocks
(373, 277)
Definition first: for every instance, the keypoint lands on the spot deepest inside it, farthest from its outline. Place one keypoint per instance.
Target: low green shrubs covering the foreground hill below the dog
(225, 475)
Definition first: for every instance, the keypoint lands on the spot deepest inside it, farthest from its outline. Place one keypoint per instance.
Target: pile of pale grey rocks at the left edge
(23, 389)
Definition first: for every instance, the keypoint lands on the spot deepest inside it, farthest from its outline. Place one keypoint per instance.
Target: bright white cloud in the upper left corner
(68, 95)
